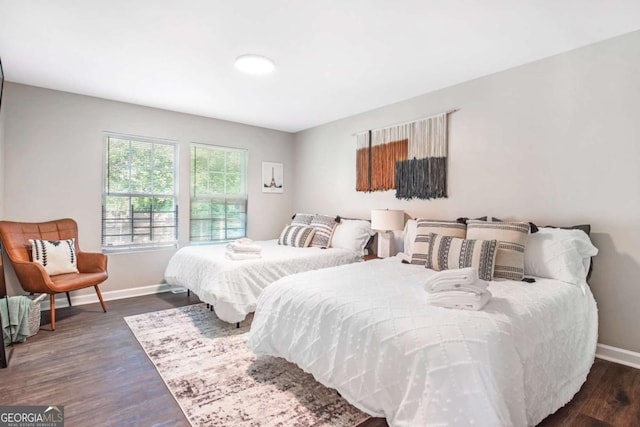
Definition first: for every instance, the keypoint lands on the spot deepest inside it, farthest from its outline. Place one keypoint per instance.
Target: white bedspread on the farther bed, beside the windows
(233, 287)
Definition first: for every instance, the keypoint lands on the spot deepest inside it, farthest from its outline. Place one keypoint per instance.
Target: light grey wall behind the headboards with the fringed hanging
(554, 142)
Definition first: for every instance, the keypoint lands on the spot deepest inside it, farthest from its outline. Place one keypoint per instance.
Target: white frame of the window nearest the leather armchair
(131, 246)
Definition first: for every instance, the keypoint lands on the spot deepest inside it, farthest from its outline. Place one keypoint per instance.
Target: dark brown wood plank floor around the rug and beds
(93, 365)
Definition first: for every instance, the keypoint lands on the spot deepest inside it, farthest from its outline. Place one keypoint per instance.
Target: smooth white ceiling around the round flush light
(334, 58)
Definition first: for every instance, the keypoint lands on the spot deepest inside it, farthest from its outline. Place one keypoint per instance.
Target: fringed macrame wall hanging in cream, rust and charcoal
(410, 158)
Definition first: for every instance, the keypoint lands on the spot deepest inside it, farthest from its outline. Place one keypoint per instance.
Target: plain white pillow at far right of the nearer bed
(559, 254)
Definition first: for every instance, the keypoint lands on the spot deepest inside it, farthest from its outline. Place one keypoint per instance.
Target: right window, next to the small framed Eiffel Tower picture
(218, 193)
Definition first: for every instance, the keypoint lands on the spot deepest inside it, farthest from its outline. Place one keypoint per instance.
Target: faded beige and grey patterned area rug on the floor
(218, 381)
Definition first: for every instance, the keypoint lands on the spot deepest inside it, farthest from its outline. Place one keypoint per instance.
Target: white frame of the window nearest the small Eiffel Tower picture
(244, 195)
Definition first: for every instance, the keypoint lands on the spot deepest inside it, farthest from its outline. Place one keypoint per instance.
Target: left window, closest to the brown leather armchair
(139, 201)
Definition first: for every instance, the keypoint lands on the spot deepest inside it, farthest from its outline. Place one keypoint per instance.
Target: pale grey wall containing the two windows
(53, 157)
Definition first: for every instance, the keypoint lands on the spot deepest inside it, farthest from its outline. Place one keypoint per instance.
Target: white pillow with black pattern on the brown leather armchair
(56, 256)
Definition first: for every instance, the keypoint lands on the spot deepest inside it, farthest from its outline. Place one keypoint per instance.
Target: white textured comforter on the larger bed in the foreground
(367, 331)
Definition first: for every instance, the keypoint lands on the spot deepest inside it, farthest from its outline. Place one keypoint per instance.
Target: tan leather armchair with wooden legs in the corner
(33, 278)
